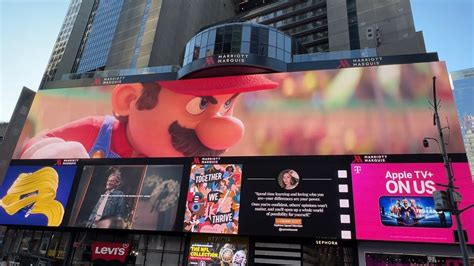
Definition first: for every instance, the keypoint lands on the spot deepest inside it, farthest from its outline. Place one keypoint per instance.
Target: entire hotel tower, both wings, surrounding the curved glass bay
(106, 35)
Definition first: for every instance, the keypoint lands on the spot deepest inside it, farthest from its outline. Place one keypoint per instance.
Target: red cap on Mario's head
(220, 85)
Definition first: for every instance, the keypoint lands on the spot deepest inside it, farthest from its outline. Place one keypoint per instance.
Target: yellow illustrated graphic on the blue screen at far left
(37, 190)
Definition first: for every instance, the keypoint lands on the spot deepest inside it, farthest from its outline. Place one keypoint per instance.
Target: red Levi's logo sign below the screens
(109, 251)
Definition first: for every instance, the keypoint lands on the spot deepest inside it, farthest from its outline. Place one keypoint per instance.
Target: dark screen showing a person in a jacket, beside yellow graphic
(141, 197)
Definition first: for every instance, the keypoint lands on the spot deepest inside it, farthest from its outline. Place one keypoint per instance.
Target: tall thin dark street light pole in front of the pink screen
(450, 190)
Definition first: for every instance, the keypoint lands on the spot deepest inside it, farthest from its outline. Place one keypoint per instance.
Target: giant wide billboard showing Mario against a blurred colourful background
(379, 109)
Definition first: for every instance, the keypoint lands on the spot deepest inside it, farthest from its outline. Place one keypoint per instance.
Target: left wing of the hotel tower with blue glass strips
(104, 34)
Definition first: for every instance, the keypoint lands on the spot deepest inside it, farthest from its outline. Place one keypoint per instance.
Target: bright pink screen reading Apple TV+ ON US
(394, 201)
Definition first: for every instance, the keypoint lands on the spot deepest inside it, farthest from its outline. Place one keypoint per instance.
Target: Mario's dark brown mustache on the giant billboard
(186, 141)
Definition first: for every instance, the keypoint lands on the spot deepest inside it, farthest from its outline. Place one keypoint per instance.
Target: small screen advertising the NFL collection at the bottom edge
(205, 250)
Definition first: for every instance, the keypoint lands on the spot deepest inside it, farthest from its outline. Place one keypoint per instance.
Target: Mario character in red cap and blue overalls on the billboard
(164, 119)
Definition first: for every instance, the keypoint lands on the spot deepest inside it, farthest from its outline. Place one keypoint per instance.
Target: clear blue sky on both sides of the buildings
(29, 28)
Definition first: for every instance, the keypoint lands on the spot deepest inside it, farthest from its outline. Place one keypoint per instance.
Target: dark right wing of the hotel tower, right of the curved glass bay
(329, 25)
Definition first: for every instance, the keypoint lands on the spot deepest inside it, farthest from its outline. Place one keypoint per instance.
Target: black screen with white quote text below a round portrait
(297, 197)
